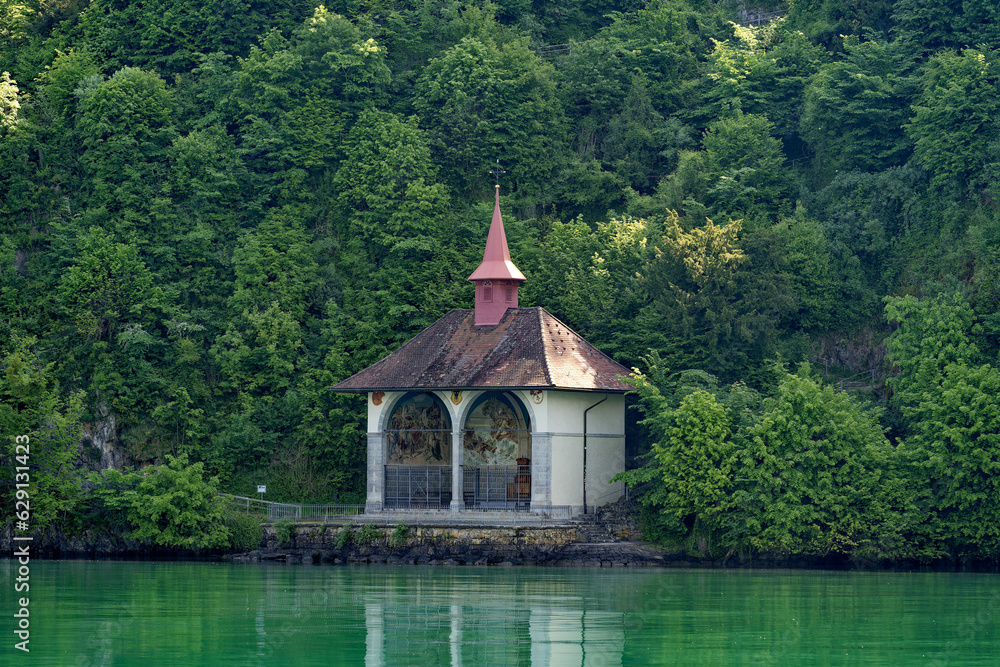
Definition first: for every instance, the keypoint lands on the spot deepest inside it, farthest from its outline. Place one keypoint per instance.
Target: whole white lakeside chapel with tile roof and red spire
(496, 408)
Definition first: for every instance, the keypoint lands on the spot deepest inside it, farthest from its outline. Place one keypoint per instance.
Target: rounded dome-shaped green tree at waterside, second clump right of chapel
(818, 476)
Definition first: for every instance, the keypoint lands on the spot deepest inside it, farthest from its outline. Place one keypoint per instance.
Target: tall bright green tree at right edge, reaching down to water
(952, 406)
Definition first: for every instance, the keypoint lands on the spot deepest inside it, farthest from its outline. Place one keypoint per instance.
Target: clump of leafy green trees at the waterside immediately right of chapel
(807, 471)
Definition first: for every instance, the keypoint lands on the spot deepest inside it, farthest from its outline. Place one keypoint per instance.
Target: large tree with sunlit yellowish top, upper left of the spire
(292, 100)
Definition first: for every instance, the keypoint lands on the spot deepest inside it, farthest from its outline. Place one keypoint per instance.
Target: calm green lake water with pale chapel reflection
(138, 613)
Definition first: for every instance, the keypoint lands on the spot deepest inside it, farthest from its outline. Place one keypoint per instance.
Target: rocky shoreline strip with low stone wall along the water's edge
(608, 540)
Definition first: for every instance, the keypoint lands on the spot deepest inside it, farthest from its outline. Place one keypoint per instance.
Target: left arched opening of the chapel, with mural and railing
(418, 453)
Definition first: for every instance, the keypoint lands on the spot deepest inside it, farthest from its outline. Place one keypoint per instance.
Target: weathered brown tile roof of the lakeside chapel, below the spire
(529, 348)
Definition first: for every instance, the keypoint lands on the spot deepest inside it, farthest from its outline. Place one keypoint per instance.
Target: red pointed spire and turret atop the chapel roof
(496, 279)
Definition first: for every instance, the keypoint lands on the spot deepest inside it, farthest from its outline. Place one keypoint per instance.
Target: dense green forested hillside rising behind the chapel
(211, 212)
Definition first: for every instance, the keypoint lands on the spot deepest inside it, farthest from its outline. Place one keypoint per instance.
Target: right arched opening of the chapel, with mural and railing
(496, 461)
